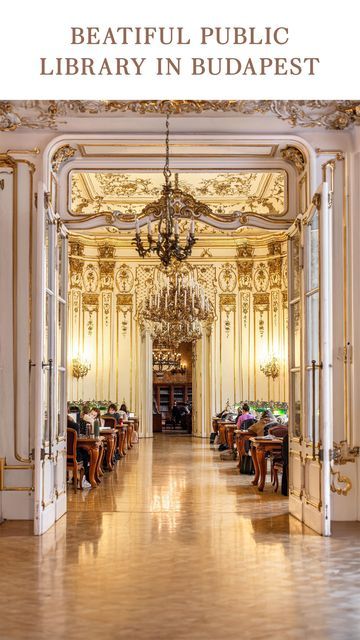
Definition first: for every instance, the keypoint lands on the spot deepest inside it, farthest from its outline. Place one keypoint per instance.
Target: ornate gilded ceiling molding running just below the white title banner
(50, 114)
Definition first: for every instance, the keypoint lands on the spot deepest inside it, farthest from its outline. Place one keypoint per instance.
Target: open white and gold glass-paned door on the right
(310, 352)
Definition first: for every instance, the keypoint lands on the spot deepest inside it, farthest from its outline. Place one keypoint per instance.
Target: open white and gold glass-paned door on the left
(50, 400)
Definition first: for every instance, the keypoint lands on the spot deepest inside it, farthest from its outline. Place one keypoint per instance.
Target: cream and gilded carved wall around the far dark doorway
(250, 319)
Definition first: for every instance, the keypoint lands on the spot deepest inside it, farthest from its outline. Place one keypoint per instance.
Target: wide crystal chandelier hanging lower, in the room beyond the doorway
(176, 297)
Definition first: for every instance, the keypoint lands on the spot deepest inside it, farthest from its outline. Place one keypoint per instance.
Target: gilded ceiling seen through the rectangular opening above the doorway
(259, 192)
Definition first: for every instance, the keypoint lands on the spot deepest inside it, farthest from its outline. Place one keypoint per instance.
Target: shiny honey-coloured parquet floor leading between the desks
(176, 545)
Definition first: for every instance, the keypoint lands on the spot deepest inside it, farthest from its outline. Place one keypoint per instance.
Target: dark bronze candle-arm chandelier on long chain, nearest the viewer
(172, 205)
